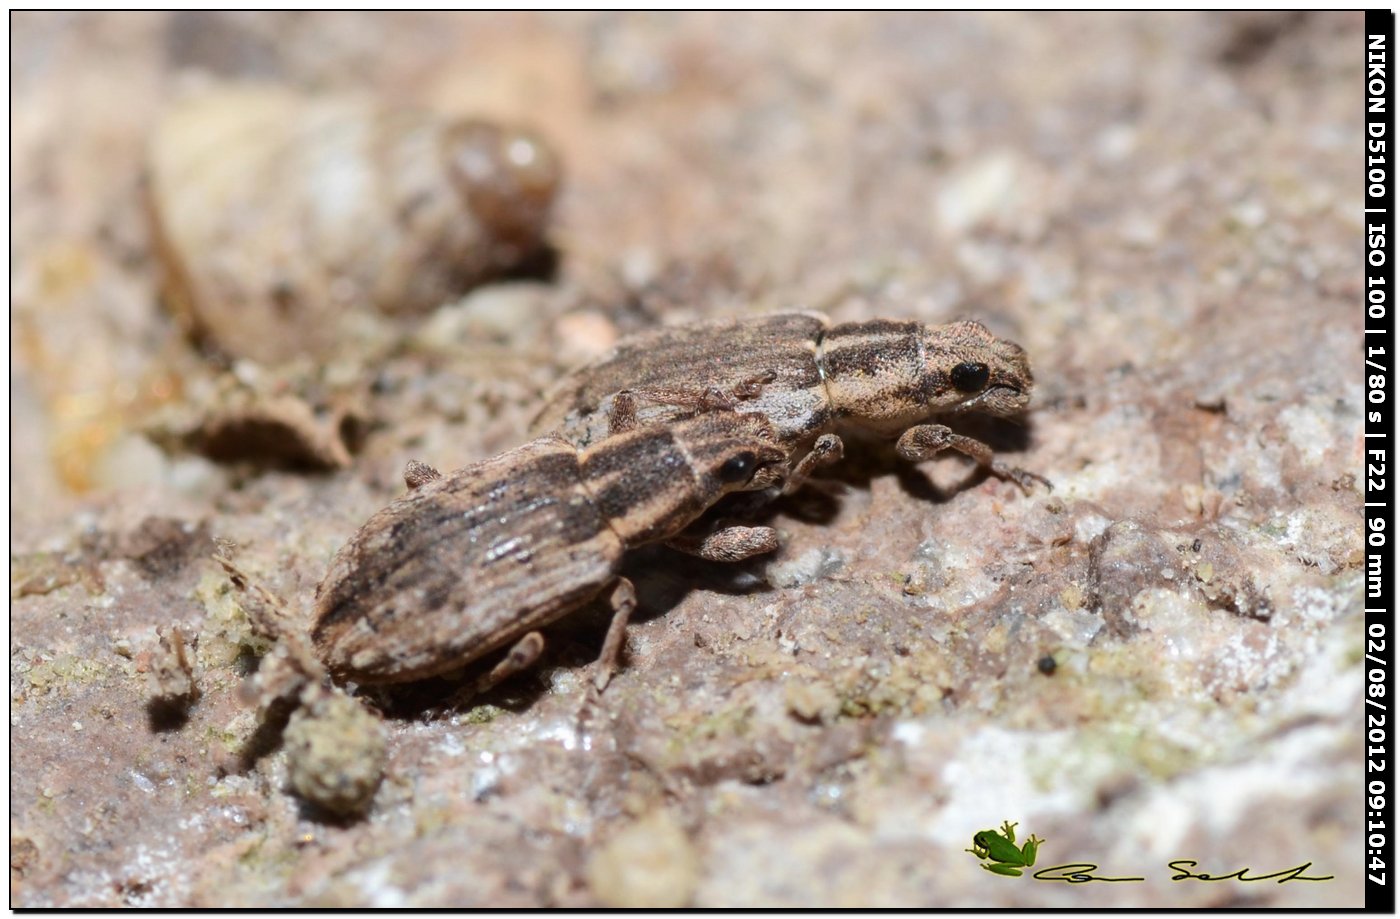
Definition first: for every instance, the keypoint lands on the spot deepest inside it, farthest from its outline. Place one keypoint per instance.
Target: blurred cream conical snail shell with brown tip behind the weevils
(286, 223)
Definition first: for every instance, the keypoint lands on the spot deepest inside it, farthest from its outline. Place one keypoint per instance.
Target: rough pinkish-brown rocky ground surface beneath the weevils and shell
(1160, 659)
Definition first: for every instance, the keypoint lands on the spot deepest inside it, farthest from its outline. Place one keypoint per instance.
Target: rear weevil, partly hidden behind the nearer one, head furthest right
(810, 379)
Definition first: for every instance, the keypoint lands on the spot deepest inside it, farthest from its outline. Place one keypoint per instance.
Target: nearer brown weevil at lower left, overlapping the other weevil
(484, 557)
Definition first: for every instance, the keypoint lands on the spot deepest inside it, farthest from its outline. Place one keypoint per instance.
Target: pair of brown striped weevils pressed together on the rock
(635, 449)
